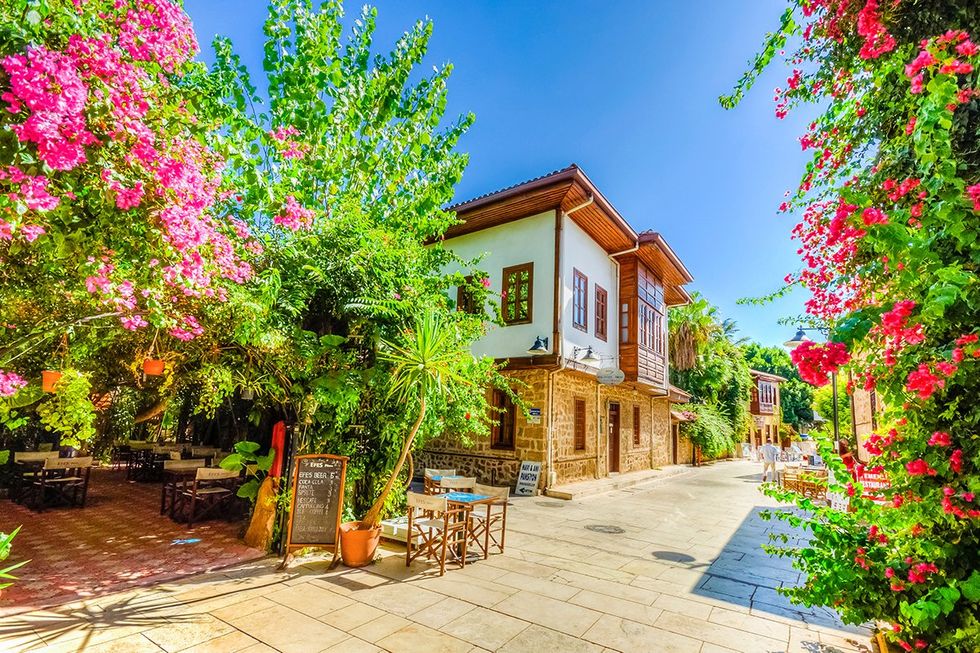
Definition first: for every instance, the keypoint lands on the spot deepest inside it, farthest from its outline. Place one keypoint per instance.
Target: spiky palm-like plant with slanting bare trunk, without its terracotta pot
(427, 361)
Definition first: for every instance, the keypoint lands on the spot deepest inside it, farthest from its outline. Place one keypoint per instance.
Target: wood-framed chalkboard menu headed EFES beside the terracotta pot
(317, 501)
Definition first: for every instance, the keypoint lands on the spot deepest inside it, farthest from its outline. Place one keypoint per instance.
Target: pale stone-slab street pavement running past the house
(670, 566)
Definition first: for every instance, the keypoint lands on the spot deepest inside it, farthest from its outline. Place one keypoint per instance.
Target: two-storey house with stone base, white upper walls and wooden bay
(583, 289)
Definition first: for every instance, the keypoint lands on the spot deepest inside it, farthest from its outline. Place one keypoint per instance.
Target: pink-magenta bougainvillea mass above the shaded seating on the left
(114, 226)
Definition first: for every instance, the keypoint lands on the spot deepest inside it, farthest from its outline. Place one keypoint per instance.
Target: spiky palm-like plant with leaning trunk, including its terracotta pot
(427, 363)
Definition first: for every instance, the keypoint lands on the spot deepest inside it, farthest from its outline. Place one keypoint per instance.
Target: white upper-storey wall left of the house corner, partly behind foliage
(530, 239)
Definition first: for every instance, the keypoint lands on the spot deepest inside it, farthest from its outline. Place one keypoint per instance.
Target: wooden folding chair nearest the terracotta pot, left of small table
(435, 530)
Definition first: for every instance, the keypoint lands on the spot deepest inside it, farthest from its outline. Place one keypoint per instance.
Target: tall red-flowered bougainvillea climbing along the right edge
(890, 242)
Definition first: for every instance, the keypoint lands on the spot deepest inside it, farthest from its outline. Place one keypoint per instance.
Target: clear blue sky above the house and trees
(628, 91)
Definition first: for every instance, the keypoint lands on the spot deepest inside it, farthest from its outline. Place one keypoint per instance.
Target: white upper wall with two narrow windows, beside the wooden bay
(580, 252)
